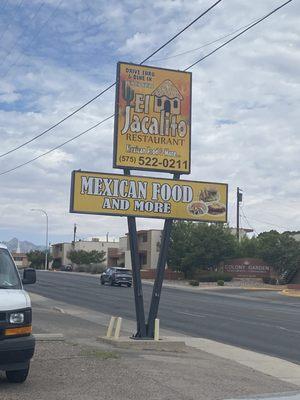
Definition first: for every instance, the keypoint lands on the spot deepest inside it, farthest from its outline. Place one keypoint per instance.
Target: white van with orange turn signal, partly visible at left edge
(16, 341)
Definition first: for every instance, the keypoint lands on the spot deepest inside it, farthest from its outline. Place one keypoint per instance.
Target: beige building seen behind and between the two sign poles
(148, 247)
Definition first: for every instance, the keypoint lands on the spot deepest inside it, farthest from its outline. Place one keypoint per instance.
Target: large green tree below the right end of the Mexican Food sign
(196, 246)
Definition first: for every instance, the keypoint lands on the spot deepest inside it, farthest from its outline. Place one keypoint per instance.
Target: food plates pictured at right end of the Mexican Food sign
(208, 203)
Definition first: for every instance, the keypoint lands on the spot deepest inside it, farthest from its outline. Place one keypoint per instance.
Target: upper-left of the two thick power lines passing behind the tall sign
(105, 90)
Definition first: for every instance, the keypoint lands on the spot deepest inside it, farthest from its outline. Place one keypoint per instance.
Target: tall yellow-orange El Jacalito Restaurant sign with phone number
(152, 119)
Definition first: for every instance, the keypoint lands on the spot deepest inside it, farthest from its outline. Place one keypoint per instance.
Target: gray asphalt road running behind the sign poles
(266, 322)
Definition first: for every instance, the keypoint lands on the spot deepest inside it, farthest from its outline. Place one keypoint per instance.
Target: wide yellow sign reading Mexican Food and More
(139, 196)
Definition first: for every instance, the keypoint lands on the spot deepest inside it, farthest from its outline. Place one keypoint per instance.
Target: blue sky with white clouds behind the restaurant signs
(57, 54)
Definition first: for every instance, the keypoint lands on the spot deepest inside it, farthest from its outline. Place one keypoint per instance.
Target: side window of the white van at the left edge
(9, 277)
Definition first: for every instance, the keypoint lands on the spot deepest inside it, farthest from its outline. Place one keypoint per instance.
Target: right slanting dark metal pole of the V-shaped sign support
(160, 272)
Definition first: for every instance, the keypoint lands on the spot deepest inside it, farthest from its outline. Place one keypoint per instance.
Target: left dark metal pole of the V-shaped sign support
(136, 276)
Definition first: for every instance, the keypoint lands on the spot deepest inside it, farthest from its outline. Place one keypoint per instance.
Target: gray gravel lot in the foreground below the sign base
(64, 370)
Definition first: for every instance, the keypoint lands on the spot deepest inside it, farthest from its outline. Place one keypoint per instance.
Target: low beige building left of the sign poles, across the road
(111, 249)
